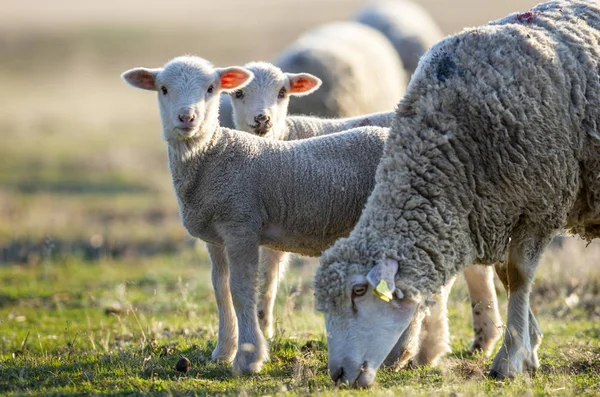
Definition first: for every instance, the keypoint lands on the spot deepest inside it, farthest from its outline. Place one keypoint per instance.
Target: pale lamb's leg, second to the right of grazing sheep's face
(435, 335)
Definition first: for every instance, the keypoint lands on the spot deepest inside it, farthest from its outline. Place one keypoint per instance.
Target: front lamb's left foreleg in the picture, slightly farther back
(227, 342)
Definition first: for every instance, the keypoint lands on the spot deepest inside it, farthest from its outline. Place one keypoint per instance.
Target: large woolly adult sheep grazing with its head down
(494, 149)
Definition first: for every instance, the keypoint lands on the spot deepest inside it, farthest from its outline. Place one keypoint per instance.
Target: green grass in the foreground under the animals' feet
(119, 327)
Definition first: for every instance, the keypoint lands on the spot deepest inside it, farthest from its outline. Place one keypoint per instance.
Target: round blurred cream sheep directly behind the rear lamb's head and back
(359, 67)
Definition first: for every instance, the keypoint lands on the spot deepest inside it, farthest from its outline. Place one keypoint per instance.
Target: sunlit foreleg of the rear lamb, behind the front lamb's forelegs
(273, 265)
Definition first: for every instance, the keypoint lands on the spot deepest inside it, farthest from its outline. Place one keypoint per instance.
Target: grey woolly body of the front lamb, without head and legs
(277, 208)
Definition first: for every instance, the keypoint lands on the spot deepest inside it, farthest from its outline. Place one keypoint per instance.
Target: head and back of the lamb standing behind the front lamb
(261, 107)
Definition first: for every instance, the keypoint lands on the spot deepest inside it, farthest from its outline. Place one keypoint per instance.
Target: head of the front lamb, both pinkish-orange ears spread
(188, 94)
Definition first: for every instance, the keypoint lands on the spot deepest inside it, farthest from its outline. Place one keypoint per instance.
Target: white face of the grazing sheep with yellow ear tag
(364, 328)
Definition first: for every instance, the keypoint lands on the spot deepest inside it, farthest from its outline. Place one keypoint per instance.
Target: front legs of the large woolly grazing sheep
(521, 336)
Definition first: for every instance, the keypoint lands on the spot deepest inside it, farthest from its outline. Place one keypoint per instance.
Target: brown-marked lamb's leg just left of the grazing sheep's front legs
(487, 323)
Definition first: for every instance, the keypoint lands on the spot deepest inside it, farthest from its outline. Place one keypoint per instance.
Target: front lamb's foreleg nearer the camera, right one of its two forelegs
(242, 254)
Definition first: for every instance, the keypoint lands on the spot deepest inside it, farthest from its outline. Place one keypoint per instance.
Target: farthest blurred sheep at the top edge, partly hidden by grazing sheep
(407, 25)
